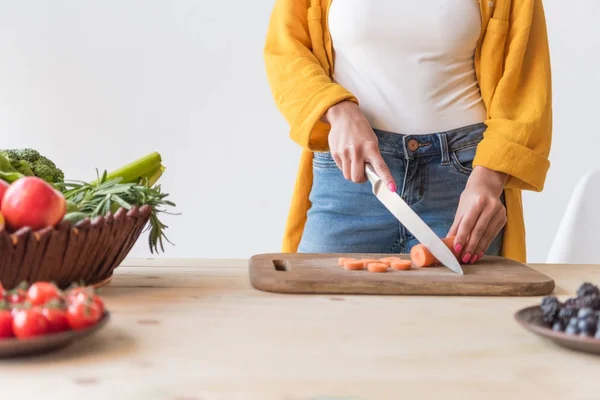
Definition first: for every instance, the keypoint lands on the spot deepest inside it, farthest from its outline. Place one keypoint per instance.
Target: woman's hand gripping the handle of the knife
(353, 143)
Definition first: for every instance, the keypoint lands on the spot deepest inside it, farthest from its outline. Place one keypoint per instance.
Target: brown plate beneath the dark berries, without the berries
(531, 319)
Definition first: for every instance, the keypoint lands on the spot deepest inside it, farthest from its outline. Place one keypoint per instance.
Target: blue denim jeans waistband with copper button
(441, 143)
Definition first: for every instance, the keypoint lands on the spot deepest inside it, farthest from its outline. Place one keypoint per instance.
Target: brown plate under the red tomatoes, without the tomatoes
(43, 344)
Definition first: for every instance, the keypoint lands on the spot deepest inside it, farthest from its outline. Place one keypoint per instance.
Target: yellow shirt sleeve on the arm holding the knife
(302, 89)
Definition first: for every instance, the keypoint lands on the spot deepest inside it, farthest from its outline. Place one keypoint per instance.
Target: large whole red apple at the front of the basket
(32, 202)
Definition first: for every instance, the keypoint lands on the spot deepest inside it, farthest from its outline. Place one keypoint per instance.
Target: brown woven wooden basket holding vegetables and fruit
(88, 251)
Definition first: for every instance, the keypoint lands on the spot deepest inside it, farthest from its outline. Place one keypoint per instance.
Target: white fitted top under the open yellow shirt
(410, 63)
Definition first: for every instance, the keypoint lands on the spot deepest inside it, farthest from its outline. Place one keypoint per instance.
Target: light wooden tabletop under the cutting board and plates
(195, 329)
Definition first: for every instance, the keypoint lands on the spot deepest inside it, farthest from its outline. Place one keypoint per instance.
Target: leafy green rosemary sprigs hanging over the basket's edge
(109, 195)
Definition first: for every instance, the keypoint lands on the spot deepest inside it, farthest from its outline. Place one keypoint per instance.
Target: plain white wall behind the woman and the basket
(99, 83)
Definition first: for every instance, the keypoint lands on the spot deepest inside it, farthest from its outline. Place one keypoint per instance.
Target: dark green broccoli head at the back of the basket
(31, 162)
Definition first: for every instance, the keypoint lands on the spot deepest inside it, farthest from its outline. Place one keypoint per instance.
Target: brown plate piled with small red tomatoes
(40, 317)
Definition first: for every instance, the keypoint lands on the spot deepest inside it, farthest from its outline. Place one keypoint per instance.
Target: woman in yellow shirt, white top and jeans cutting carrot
(450, 101)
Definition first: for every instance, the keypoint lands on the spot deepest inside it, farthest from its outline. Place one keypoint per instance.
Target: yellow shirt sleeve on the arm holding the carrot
(519, 128)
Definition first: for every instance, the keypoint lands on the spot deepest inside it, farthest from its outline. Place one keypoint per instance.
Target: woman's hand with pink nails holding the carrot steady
(480, 215)
